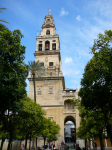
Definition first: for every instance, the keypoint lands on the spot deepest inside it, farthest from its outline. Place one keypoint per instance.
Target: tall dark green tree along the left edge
(13, 73)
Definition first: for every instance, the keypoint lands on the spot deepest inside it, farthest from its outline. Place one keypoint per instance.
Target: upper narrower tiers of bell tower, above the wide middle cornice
(48, 48)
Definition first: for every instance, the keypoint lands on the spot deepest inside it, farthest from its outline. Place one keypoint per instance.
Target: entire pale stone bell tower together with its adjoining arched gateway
(50, 88)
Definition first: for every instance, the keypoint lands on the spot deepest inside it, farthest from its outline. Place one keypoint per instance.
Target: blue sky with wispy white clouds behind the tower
(78, 24)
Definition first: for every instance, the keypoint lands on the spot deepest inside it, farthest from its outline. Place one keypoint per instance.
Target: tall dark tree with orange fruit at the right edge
(96, 90)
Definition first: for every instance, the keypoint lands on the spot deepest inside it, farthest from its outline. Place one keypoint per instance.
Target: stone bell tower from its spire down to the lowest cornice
(49, 86)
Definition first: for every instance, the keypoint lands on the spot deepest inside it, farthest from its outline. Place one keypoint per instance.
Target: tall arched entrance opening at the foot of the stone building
(70, 129)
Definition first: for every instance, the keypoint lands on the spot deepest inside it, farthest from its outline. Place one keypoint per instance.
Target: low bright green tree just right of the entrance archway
(92, 123)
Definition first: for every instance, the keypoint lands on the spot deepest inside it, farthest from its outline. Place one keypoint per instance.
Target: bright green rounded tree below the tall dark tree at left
(29, 116)
